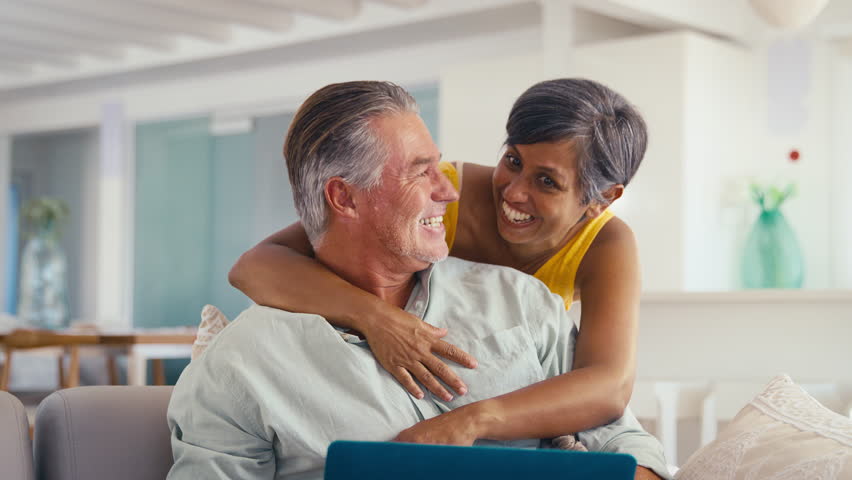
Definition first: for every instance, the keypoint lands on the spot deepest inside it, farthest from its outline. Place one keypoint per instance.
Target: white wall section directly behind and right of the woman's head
(650, 204)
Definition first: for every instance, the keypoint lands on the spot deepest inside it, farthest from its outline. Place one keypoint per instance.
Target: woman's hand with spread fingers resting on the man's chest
(408, 348)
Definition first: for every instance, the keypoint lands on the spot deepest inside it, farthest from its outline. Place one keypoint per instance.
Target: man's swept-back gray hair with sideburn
(332, 136)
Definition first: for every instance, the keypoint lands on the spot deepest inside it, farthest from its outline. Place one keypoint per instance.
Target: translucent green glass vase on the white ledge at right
(772, 257)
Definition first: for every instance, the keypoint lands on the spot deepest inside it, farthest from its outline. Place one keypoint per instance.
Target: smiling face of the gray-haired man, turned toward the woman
(405, 212)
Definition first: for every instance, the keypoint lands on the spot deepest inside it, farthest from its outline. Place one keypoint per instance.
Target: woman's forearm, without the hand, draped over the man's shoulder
(277, 276)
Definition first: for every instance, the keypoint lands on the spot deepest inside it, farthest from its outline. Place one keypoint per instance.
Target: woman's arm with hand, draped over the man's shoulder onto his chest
(280, 272)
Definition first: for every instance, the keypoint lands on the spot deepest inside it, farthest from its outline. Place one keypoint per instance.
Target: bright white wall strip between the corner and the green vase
(721, 84)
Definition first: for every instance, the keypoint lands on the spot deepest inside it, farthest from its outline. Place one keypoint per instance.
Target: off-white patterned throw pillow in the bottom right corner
(782, 434)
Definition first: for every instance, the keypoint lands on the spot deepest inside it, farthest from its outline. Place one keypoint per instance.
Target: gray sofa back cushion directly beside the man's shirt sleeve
(101, 433)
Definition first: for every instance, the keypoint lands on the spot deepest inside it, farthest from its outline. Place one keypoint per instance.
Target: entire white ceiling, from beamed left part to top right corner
(52, 41)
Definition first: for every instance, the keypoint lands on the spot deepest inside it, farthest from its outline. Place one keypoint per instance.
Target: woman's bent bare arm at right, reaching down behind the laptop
(598, 388)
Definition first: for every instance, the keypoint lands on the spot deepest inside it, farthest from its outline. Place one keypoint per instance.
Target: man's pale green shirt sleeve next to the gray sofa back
(215, 427)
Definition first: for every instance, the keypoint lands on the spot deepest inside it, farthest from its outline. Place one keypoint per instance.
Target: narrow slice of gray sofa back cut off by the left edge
(16, 455)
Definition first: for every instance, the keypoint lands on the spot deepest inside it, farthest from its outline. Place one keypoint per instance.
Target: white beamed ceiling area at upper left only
(44, 41)
